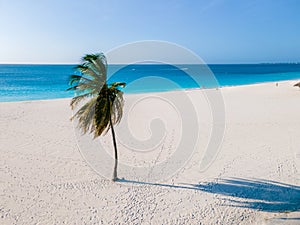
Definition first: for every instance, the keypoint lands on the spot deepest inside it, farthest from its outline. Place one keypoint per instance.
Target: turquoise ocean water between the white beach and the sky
(35, 82)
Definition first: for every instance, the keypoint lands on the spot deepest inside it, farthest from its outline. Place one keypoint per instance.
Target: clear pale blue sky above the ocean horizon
(219, 31)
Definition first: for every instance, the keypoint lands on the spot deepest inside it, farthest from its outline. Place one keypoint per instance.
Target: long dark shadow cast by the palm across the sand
(263, 195)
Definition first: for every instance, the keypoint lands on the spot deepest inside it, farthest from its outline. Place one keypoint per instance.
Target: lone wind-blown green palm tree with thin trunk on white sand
(104, 107)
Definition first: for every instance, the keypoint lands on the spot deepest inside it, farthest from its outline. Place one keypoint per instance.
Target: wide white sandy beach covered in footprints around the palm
(47, 177)
